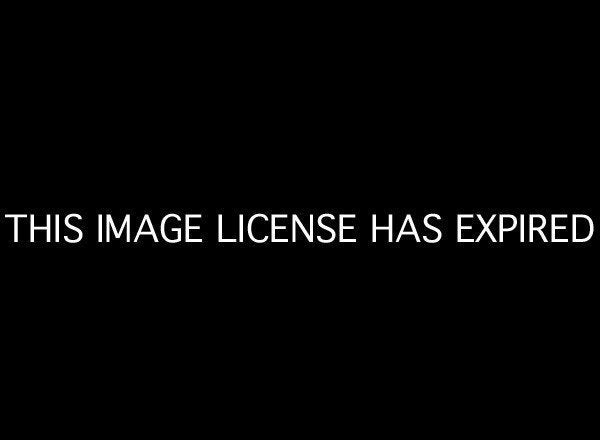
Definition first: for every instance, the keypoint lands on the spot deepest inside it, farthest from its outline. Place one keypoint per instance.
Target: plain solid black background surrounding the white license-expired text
(368, 113)
